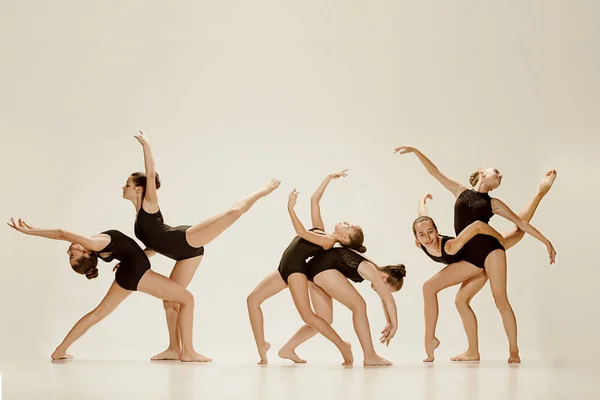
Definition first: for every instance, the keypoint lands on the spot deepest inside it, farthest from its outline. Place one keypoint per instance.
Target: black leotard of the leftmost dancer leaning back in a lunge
(133, 261)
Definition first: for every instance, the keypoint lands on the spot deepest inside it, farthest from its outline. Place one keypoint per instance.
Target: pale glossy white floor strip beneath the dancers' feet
(489, 380)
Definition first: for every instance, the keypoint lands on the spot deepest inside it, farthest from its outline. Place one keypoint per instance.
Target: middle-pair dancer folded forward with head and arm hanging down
(329, 273)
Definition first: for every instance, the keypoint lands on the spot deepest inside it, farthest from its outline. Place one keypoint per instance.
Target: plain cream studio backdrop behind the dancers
(234, 93)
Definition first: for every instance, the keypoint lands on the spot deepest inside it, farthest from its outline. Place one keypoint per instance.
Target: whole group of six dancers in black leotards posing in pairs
(316, 262)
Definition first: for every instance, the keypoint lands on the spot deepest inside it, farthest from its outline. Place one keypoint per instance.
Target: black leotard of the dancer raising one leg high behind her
(164, 239)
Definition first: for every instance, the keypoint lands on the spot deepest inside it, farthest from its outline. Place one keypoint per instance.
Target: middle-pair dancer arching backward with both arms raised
(292, 272)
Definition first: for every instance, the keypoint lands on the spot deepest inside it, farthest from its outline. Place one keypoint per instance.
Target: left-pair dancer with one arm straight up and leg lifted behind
(185, 243)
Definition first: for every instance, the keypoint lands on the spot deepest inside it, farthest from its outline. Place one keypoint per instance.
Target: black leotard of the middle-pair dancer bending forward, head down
(341, 259)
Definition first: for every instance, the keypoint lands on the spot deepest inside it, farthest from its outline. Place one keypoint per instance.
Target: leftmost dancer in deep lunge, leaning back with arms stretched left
(133, 274)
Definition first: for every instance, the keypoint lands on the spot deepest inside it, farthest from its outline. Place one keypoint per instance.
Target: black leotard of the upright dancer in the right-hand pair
(474, 206)
